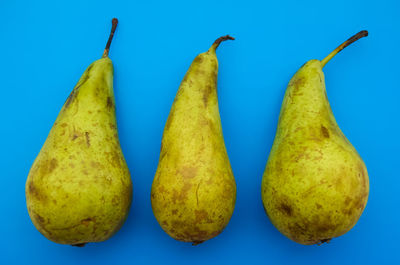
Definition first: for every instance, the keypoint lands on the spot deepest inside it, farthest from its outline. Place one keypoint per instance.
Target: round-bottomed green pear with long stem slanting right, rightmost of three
(315, 185)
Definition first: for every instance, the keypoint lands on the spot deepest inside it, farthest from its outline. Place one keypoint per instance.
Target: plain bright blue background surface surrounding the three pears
(46, 45)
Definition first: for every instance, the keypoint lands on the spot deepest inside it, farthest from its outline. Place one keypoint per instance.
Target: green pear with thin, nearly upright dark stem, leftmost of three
(79, 188)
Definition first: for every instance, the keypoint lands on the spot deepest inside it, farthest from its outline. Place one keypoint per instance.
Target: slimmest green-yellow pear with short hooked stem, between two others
(193, 193)
